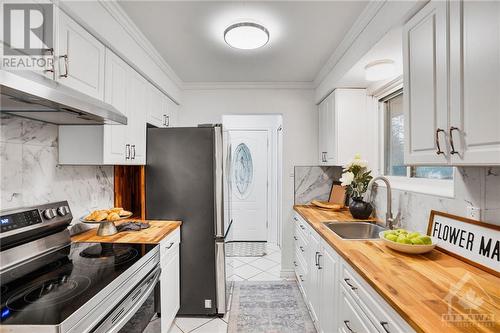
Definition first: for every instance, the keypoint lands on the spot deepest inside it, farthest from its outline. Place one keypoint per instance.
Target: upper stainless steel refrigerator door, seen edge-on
(219, 200)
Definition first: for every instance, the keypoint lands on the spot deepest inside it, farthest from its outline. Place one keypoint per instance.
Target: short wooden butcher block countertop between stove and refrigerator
(152, 235)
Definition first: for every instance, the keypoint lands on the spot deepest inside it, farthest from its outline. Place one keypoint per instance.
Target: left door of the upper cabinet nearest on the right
(425, 81)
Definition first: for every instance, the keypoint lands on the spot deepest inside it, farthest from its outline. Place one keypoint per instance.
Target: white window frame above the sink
(438, 187)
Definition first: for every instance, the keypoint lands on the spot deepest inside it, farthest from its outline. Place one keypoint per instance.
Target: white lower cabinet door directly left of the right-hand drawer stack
(328, 267)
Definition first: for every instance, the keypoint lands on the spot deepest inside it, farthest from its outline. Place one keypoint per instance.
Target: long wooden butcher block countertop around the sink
(415, 285)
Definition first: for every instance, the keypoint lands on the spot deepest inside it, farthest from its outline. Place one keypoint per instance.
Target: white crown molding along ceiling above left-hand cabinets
(115, 10)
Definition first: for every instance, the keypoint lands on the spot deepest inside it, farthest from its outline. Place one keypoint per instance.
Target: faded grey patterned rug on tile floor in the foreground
(268, 307)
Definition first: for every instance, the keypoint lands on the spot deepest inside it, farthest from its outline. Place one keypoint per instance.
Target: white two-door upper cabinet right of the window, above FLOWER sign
(452, 84)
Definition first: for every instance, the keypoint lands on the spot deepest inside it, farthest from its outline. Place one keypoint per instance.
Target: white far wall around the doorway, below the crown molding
(300, 128)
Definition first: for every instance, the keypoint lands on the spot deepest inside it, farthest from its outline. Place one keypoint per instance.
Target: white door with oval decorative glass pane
(249, 172)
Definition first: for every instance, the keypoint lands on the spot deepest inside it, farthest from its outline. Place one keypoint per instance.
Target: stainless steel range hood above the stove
(33, 96)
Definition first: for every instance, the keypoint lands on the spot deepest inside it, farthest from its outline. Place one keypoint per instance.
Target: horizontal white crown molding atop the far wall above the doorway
(246, 85)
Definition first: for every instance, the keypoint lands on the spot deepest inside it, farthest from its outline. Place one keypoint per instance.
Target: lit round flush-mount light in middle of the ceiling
(246, 35)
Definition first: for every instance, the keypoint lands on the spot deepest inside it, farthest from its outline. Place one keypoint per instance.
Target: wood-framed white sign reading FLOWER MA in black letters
(475, 242)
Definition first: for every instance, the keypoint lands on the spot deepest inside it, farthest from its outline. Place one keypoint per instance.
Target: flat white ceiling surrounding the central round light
(189, 36)
